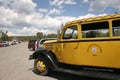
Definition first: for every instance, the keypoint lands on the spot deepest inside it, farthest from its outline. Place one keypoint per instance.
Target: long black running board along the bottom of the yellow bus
(95, 74)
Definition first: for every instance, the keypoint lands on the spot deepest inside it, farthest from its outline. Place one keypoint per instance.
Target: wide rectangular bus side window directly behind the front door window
(95, 30)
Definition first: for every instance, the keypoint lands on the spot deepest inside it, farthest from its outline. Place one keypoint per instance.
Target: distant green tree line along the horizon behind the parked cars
(39, 35)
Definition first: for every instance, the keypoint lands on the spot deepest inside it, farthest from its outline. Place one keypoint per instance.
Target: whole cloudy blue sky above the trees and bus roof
(27, 17)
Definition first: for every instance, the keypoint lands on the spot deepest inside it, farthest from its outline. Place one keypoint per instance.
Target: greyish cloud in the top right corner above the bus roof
(100, 5)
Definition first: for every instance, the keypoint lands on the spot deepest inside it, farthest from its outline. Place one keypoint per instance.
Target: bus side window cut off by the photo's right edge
(116, 27)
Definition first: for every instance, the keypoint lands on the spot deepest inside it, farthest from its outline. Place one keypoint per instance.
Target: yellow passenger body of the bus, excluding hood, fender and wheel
(94, 42)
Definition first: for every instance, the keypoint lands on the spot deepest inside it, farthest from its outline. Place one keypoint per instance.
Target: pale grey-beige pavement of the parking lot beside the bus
(14, 65)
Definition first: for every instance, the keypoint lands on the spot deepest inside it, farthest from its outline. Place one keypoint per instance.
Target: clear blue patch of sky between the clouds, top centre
(79, 8)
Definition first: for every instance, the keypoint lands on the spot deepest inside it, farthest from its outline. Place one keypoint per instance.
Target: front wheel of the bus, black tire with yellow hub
(41, 66)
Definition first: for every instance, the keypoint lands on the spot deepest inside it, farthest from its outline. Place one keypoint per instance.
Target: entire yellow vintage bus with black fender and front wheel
(91, 44)
